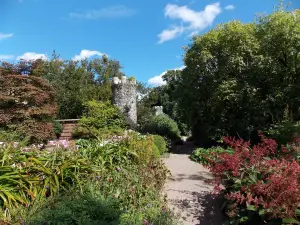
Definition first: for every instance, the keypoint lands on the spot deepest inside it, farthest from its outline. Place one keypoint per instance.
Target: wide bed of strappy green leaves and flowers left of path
(113, 182)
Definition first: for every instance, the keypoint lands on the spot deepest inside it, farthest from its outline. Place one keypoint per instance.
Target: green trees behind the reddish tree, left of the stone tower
(75, 82)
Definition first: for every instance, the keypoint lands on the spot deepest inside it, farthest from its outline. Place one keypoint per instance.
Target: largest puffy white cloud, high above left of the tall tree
(194, 21)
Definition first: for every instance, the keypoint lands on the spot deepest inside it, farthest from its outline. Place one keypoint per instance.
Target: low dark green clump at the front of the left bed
(89, 207)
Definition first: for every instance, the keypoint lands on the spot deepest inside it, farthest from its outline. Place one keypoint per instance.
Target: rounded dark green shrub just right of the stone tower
(164, 126)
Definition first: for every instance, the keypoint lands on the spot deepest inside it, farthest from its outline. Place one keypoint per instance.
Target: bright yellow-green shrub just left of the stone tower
(100, 120)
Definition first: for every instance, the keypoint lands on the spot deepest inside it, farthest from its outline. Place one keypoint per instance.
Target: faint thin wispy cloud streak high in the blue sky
(109, 12)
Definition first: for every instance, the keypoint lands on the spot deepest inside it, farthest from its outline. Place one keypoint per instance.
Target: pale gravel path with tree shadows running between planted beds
(188, 190)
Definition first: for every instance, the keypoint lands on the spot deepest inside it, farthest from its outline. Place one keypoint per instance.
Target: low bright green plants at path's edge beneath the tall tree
(204, 156)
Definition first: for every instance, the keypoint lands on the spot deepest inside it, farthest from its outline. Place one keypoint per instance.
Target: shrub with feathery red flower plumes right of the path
(261, 178)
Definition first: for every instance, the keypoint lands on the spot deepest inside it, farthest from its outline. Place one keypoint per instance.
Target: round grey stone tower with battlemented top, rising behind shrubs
(124, 96)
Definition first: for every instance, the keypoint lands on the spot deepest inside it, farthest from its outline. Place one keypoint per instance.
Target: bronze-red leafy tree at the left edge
(27, 106)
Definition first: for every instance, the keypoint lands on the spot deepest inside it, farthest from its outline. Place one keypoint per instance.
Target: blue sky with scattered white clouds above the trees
(146, 36)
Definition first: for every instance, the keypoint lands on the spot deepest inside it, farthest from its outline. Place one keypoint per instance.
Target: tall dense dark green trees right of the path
(241, 78)
